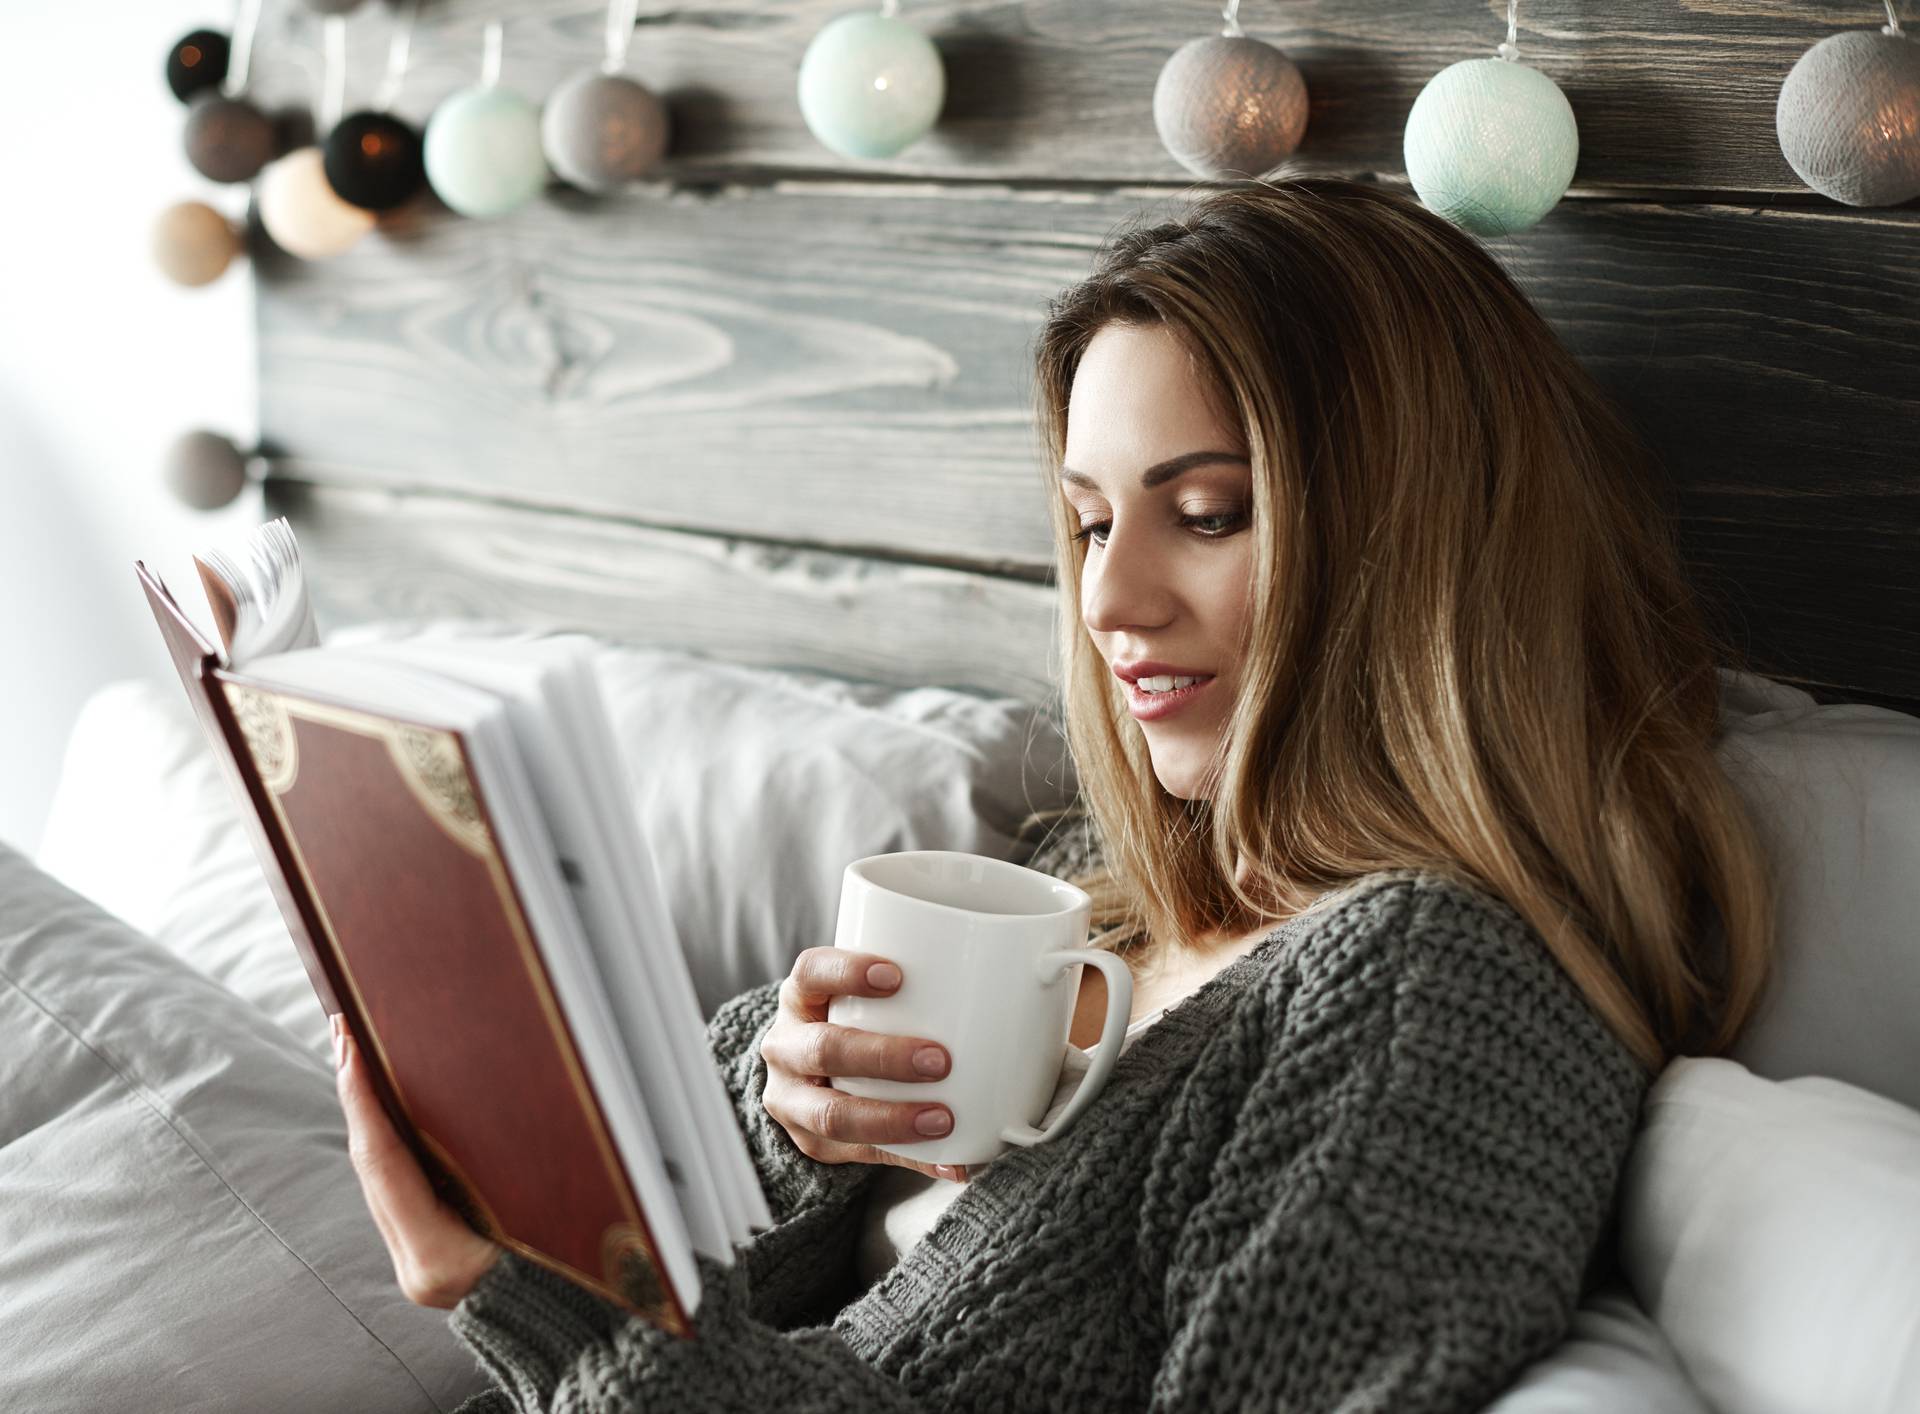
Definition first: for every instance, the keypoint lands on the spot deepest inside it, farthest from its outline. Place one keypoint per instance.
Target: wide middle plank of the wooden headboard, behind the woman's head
(686, 362)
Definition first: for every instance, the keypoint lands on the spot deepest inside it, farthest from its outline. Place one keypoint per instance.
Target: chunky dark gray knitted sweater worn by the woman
(1366, 1167)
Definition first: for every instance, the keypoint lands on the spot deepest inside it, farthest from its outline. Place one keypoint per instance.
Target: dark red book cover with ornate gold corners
(381, 850)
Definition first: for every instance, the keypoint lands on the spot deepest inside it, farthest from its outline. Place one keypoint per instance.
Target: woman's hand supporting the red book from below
(437, 1256)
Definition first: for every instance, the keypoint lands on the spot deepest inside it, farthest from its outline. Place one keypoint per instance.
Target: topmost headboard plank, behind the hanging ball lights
(1673, 97)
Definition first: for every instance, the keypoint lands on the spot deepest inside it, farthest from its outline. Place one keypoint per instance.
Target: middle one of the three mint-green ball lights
(871, 85)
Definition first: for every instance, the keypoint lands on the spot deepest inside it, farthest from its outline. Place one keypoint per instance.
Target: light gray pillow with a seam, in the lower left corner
(180, 1221)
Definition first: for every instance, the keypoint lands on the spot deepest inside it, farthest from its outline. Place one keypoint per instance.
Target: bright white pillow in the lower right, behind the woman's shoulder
(1773, 1231)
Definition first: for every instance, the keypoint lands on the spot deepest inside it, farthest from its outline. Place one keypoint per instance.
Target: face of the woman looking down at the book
(1163, 487)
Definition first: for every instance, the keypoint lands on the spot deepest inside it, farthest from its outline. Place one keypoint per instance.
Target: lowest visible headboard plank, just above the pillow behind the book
(398, 556)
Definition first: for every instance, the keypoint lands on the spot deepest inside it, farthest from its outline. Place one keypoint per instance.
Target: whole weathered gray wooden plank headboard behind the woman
(775, 406)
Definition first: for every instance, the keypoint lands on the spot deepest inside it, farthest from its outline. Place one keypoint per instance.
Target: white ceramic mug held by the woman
(990, 960)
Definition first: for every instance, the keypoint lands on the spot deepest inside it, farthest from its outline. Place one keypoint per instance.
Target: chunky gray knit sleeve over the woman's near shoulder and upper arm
(1403, 1211)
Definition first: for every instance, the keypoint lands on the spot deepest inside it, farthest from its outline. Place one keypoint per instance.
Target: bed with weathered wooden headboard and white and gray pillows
(863, 558)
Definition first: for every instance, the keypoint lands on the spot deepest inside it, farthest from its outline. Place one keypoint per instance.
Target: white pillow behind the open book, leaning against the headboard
(756, 789)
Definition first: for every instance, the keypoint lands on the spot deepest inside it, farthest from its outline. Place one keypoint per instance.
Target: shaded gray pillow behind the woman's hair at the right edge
(1836, 794)
